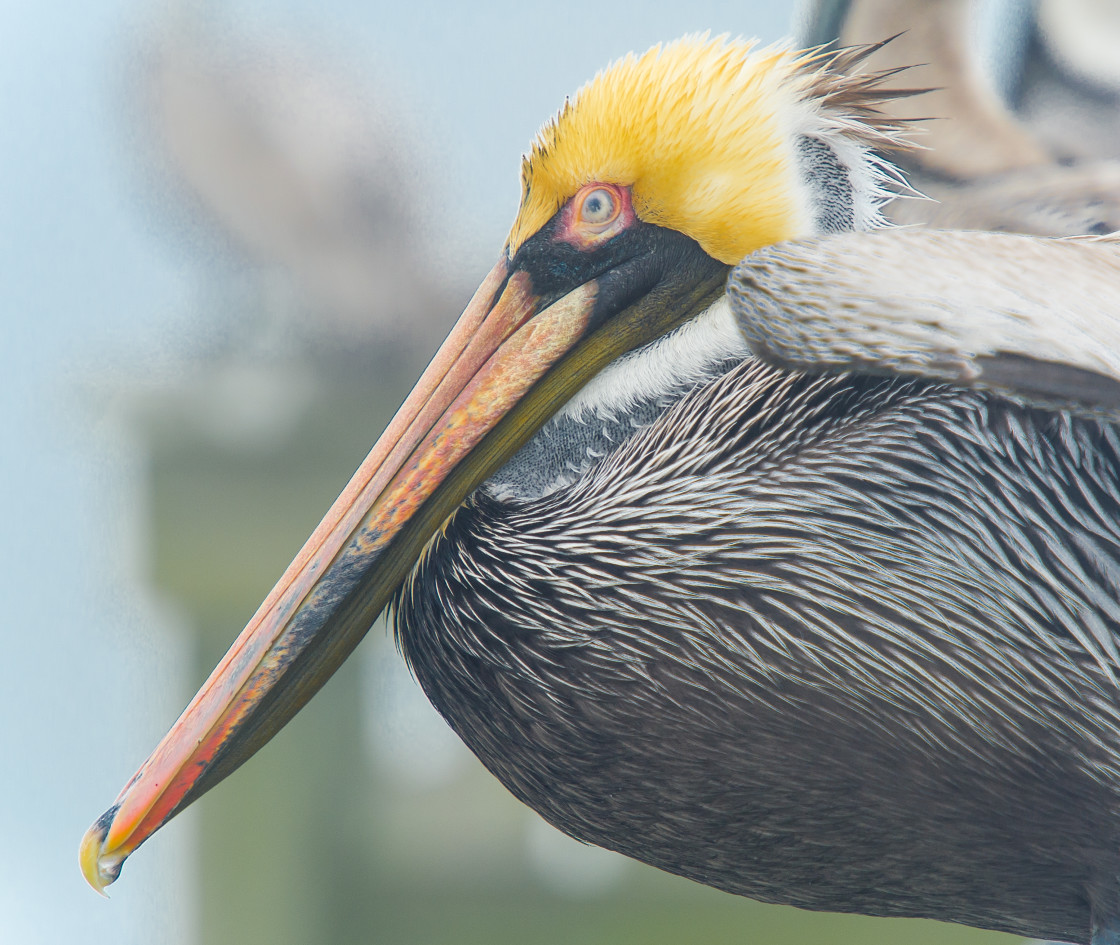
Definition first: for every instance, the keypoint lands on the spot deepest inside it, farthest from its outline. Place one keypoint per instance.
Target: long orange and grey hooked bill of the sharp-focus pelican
(510, 362)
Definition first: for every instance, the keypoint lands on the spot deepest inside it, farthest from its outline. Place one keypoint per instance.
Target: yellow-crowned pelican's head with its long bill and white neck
(637, 200)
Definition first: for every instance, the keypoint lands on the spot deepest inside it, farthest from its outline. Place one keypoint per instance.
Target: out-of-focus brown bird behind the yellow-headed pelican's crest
(985, 166)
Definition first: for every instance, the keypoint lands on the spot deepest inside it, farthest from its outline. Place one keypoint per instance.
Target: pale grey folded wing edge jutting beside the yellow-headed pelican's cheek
(1032, 319)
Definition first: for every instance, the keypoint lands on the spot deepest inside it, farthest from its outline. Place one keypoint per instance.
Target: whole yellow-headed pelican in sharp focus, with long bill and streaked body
(739, 532)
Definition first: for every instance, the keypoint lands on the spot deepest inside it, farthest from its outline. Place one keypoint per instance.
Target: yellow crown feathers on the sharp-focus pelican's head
(701, 129)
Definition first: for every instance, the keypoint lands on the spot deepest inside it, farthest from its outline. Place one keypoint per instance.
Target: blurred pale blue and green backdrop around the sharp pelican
(230, 236)
